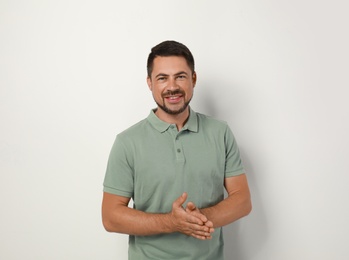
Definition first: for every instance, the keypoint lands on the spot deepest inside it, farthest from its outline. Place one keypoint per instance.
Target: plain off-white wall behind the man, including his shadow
(72, 75)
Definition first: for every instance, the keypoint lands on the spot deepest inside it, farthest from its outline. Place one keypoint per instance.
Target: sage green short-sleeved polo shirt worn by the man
(153, 163)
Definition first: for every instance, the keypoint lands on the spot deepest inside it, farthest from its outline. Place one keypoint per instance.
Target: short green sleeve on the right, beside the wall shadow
(233, 163)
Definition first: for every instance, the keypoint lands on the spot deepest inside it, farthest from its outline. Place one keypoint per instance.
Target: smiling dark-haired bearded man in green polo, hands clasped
(173, 156)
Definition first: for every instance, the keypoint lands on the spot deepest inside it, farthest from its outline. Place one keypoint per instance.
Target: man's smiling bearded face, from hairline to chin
(171, 83)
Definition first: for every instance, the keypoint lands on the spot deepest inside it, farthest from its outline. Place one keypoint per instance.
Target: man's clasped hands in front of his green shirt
(190, 221)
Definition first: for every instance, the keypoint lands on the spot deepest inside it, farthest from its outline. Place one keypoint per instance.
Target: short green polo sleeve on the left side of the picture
(119, 174)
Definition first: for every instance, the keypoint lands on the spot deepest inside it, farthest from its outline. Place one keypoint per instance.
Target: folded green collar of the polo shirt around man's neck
(161, 126)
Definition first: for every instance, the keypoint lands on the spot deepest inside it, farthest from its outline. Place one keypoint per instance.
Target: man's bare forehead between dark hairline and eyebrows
(170, 65)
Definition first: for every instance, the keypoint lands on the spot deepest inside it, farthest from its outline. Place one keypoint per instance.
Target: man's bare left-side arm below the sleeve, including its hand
(118, 217)
